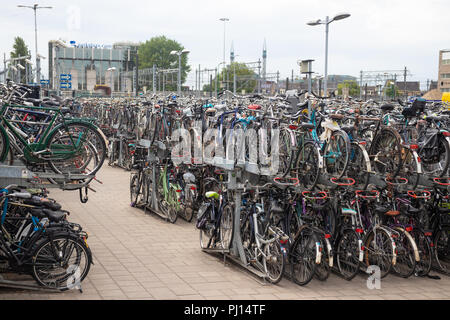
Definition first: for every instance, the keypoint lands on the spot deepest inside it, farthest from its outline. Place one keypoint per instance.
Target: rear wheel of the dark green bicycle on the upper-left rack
(77, 148)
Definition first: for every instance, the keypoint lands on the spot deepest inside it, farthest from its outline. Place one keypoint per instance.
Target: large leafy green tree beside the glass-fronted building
(156, 51)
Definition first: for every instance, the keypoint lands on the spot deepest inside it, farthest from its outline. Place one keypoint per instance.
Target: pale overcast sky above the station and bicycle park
(379, 35)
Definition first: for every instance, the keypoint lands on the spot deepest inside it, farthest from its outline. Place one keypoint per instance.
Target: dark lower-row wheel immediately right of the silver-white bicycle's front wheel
(302, 257)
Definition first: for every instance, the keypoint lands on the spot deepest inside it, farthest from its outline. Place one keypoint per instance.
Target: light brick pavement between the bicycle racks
(140, 256)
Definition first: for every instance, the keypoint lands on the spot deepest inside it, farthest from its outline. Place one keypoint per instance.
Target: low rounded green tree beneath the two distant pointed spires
(245, 78)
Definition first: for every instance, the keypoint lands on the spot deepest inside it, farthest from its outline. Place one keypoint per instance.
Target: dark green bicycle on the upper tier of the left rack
(67, 146)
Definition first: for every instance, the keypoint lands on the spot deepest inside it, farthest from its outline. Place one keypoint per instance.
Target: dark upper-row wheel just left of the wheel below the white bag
(306, 168)
